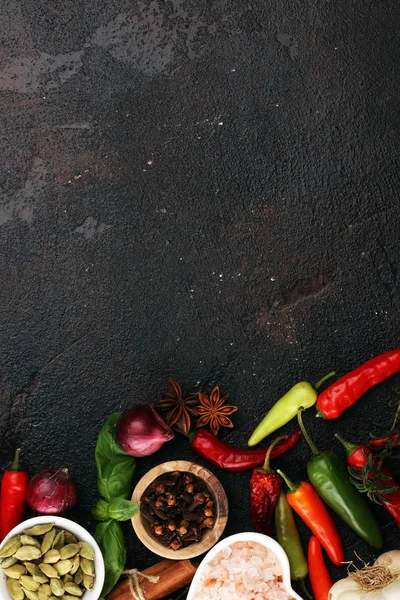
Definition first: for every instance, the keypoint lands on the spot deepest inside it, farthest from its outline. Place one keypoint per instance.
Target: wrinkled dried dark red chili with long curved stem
(265, 486)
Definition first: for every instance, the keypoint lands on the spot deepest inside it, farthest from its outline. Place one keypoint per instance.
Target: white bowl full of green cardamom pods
(50, 551)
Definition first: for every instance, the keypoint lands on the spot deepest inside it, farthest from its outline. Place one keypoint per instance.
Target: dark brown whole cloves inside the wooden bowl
(178, 508)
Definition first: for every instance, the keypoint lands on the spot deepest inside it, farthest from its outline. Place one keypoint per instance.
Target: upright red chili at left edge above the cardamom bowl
(13, 497)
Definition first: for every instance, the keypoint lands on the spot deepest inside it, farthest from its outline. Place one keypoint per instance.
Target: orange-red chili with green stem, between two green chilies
(305, 501)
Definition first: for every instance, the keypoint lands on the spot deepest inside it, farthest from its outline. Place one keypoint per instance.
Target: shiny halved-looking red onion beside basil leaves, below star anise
(141, 431)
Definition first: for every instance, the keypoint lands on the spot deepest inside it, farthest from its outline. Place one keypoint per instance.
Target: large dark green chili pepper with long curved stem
(328, 474)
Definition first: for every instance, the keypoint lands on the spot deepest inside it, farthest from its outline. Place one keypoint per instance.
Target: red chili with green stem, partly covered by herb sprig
(357, 457)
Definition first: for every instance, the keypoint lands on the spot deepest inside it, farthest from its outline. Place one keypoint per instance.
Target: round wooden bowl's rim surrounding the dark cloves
(210, 536)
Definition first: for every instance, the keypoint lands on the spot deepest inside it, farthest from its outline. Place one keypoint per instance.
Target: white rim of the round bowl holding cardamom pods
(80, 533)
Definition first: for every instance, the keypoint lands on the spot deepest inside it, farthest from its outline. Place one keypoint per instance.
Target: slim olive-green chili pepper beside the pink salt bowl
(289, 538)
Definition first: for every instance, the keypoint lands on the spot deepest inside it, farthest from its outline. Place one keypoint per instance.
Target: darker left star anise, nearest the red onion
(179, 406)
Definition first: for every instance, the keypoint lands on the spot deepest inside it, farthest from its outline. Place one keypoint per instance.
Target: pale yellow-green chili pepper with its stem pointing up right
(283, 411)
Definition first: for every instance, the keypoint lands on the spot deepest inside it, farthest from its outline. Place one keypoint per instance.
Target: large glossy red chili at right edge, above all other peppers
(348, 389)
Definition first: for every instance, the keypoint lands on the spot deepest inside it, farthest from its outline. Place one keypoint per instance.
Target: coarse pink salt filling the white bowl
(242, 571)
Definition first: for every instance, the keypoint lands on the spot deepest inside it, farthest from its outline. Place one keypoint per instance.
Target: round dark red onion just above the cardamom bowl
(52, 492)
